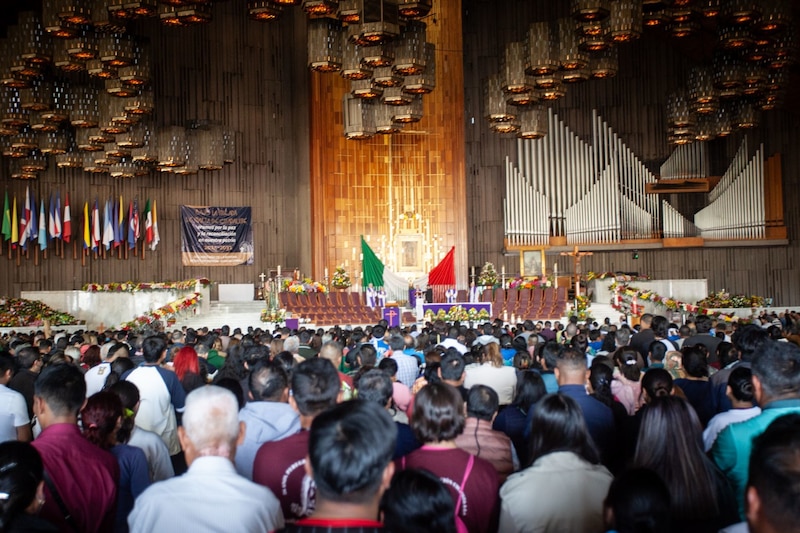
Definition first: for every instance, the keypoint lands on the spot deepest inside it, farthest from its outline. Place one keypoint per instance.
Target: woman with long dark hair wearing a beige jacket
(565, 475)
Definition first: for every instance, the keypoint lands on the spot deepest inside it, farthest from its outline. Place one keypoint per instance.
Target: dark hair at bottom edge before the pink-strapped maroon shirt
(418, 502)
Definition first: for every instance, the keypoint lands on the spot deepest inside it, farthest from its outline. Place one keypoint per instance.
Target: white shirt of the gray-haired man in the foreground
(209, 497)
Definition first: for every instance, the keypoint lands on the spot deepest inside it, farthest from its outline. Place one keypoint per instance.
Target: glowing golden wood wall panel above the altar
(349, 179)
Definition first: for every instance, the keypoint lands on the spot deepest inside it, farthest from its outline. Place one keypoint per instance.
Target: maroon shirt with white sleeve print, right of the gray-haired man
(280, 466)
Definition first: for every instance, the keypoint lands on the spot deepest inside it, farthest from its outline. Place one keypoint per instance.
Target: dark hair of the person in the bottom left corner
(21, 472)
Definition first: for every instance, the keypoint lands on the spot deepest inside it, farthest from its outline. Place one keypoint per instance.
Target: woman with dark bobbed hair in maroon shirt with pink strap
(438, 418)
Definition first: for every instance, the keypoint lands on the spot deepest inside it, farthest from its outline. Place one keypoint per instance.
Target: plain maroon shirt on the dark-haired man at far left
(85, 476)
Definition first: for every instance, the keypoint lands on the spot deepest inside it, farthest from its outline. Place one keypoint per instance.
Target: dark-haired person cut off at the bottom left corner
(21, 489)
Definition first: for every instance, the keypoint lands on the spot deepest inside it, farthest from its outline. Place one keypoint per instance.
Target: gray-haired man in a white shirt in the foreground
(211, 496)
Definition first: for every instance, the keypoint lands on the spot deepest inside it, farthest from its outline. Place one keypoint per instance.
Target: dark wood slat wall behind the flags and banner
(236, 71)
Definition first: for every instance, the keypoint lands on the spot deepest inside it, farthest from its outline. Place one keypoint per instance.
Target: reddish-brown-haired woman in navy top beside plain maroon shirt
(105, 422)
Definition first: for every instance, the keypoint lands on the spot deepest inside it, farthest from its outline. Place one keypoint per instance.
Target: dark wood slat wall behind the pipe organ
(633, 104)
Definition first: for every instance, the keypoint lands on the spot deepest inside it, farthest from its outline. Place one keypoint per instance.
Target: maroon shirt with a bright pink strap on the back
(480, 503)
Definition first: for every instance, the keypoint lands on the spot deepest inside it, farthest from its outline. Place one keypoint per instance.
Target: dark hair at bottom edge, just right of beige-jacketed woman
(639, 500)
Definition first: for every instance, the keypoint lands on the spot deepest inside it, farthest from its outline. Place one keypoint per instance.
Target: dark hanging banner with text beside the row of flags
(216, 236)
